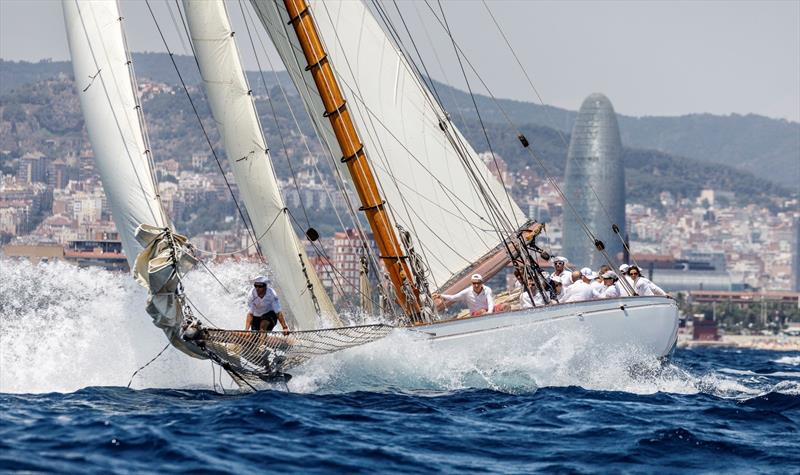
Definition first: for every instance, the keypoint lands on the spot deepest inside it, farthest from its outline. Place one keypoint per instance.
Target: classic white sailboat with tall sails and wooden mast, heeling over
(436, 211)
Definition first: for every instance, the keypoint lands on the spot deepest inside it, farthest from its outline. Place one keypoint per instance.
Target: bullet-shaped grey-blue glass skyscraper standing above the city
(595, 179)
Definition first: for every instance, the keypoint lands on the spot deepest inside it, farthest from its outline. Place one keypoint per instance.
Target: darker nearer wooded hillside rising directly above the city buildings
(40, 110)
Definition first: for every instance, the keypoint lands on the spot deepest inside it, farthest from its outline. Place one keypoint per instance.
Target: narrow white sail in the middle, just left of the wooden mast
(234, 112)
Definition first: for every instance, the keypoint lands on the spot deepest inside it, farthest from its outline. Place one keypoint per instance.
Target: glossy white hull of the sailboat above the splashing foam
(645, 325)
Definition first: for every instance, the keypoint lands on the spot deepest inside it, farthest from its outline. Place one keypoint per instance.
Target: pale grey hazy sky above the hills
(649, 58)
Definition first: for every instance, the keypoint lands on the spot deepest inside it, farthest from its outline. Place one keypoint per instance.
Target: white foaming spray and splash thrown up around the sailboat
(65, 328)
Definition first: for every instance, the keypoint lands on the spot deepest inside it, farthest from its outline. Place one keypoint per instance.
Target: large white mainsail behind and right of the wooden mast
(426, 183)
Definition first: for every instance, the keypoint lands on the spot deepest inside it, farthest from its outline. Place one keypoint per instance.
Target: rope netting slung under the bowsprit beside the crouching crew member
(266, 354)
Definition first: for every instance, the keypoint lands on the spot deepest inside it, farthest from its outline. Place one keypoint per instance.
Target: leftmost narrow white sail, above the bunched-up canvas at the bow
(106, 91)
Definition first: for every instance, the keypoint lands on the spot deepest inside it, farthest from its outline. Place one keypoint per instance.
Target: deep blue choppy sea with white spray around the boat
(71, 339)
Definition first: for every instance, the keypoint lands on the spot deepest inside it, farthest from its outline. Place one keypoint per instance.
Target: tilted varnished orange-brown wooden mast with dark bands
(352, 152)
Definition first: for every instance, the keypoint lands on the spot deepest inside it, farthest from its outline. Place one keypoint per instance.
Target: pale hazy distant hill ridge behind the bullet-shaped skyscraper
(768, 148)
